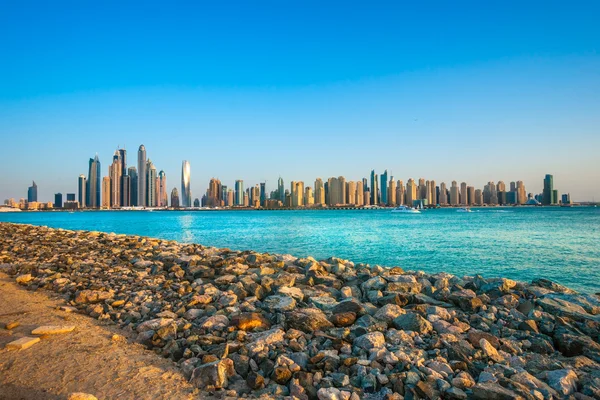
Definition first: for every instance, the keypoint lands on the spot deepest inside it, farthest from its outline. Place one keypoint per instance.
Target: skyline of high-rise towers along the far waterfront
(143, 187)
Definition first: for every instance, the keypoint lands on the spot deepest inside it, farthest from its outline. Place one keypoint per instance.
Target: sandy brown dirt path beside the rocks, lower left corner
(85, 360)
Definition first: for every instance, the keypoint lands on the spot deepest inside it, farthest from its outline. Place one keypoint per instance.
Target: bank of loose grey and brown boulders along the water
(246, 324)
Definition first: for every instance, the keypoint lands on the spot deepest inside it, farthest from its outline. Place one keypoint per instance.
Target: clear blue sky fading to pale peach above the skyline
(467, 91)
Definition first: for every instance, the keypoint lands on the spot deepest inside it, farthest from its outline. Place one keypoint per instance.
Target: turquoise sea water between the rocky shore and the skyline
(561, 244)
